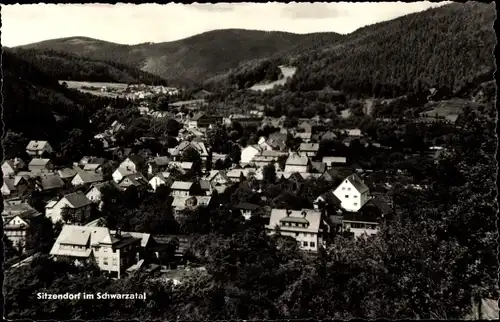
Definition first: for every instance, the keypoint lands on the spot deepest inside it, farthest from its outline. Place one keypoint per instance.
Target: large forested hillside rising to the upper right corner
(446, 47)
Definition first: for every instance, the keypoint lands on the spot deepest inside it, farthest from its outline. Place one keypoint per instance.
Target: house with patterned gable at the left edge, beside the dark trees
(16, 227)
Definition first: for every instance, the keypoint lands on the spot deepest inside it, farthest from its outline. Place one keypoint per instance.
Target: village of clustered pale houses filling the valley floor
(194, 175)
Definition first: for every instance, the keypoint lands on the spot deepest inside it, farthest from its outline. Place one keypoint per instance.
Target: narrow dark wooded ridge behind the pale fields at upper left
(66, 66)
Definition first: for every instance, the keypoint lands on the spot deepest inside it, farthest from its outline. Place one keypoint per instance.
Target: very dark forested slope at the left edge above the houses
(36, 107)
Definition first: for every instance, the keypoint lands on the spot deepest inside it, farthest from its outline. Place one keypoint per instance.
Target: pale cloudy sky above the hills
(133, 24)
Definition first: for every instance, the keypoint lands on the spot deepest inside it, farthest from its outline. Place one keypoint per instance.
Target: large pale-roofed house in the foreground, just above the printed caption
(113, 253)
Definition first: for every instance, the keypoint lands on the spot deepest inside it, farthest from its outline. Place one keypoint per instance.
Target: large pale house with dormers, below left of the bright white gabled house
(303, 225)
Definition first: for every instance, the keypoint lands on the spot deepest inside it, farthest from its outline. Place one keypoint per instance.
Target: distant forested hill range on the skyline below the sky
(192, 59)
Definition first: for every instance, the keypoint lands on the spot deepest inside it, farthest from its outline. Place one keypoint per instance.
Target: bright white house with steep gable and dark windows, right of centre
(352, 193)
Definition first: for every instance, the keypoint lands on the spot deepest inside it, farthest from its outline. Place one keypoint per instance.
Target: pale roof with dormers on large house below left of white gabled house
(313, 217)
